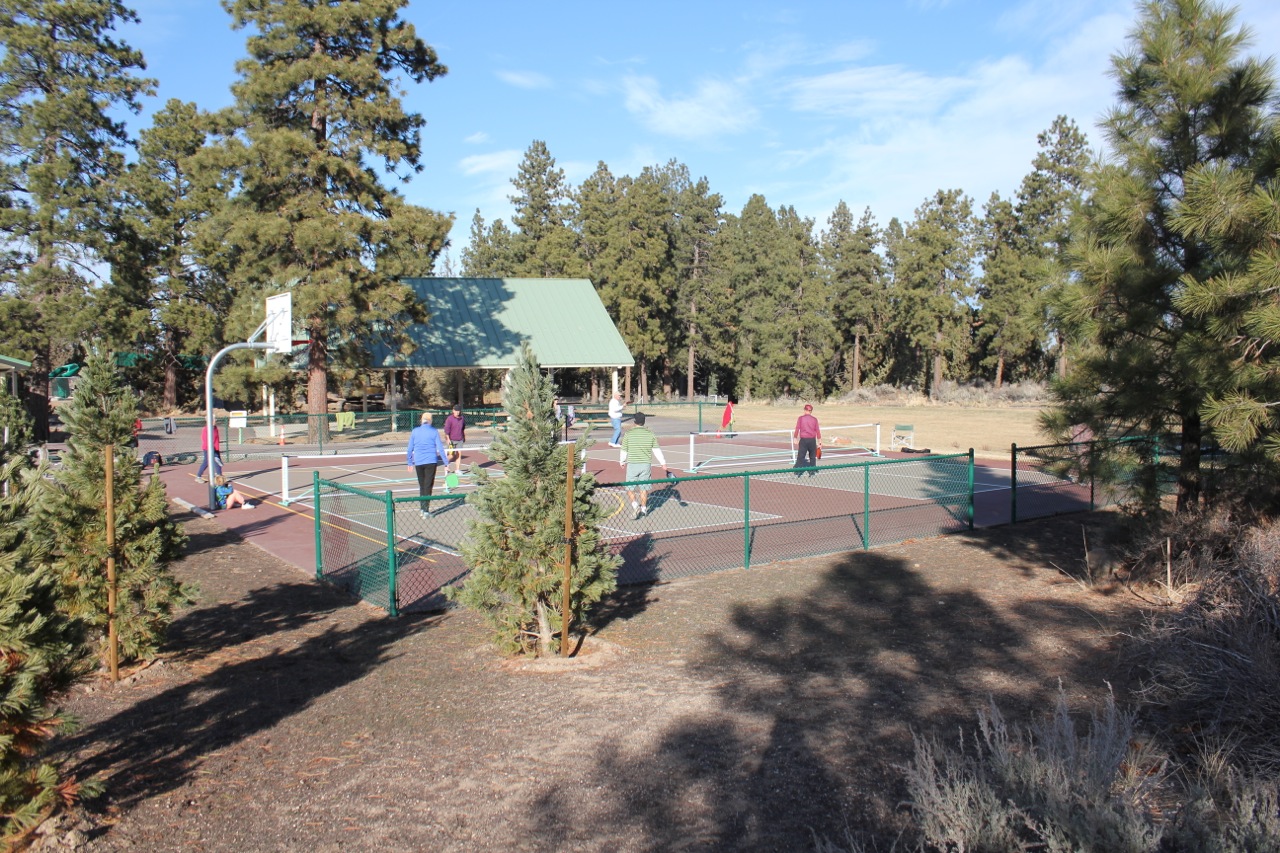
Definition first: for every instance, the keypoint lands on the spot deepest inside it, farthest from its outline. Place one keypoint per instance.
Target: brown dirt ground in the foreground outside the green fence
(752, 710)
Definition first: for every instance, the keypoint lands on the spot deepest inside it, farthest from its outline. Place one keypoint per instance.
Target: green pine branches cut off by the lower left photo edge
(43, 654)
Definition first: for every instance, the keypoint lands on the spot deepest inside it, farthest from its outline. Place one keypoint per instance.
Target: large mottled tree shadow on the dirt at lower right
(819, 697)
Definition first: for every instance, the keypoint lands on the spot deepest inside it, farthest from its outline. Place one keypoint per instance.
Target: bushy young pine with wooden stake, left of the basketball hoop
(71, 521)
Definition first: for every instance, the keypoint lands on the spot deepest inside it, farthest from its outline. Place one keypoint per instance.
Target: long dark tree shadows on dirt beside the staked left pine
(158, 743)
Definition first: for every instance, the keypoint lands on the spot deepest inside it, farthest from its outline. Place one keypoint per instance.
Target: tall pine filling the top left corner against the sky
(63, 81)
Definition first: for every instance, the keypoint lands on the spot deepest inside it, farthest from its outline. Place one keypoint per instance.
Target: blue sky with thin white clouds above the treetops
(877, 104)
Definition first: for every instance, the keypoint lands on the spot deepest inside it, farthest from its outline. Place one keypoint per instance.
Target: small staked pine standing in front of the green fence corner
(515, 550)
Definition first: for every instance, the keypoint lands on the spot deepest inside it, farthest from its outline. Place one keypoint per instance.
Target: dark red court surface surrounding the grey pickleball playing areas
(783, 528)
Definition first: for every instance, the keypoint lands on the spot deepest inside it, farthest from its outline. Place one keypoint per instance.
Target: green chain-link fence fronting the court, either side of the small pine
(401, 553)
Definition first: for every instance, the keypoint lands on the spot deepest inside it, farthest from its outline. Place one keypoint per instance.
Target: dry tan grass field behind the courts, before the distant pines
(945, 430)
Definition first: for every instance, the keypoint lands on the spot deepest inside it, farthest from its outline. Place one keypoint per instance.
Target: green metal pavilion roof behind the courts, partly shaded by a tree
(483, 322)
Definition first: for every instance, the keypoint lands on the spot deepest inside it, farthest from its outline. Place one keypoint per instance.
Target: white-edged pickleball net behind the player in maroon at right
(712, 450)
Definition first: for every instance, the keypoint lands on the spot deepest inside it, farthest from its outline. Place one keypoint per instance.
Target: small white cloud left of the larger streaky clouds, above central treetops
(716, 108)
